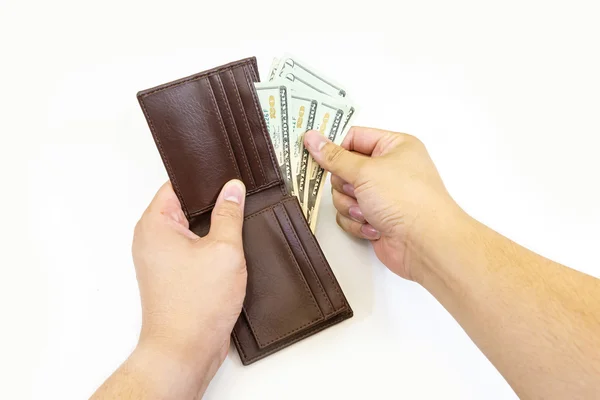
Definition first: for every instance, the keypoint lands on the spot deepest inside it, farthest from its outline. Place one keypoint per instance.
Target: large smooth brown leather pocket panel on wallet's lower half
(278, 300)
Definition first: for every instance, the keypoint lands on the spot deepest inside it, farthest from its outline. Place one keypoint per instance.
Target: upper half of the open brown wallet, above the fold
(209, 129)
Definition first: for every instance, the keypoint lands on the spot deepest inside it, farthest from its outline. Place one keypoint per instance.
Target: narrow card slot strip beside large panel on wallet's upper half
(231, 128)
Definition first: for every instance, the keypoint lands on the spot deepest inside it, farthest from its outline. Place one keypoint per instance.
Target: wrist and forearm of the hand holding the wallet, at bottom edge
(155, 372)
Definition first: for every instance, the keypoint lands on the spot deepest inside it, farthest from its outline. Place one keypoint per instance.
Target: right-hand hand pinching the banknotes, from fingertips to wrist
(399, 192)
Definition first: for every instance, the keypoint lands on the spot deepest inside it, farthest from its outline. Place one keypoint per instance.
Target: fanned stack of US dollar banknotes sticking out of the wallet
(297, 98)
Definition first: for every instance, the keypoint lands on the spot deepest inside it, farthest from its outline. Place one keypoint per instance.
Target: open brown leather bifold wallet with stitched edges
(209, 129)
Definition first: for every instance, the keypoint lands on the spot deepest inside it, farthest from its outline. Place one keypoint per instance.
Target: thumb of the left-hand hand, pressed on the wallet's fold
(228, 215)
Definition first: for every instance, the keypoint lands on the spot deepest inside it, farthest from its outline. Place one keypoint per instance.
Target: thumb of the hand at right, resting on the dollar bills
(333, 158)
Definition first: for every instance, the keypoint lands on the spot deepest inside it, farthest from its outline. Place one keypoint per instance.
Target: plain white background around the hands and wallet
(506, 96)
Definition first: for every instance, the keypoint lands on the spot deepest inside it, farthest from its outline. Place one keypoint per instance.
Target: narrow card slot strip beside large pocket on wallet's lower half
(302, 258)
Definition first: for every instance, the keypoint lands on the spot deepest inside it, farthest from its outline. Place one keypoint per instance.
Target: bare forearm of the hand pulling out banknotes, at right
(537, 321)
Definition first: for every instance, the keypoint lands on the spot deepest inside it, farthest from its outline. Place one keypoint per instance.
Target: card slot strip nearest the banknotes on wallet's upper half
(256, 123)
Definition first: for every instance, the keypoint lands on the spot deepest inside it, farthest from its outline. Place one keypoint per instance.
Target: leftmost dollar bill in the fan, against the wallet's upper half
(275, 102)
